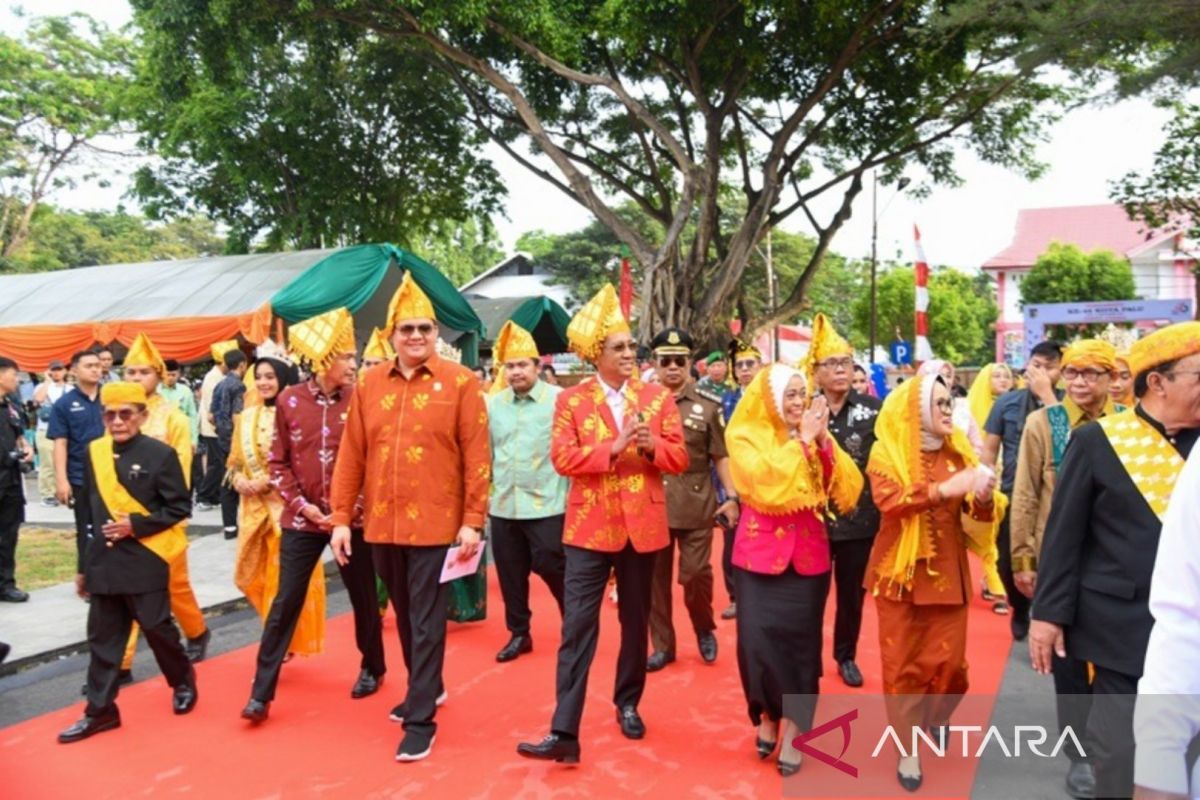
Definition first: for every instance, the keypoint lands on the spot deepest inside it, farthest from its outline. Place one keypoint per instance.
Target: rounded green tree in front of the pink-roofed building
(1066, 274)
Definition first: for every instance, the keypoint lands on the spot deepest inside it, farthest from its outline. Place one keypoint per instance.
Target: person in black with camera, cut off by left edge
(16, 460)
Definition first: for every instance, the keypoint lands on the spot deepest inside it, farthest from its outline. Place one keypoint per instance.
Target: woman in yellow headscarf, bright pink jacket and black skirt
(789, 472)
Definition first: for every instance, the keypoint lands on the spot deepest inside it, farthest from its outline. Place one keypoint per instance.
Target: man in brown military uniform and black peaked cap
(692, 504)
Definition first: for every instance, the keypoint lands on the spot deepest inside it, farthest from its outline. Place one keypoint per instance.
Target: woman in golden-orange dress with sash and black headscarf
(257, 569)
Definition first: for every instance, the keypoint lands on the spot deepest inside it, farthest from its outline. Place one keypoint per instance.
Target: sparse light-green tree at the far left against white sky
(63, 88)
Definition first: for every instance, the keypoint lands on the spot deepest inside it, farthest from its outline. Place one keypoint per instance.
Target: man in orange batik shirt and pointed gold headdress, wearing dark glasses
(417, 450)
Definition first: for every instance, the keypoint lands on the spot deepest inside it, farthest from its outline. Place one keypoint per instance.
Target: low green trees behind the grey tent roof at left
(61, 240)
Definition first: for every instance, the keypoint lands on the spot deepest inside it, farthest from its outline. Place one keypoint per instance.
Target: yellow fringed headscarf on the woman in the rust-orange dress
(897, 458)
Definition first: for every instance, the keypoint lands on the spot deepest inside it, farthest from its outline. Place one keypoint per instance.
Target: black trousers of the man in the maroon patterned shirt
(299, 555)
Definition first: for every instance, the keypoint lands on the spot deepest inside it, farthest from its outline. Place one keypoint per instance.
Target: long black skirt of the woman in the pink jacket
(781, 621)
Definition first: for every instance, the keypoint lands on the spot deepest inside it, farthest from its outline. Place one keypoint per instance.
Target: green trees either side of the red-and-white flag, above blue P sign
(962, 317)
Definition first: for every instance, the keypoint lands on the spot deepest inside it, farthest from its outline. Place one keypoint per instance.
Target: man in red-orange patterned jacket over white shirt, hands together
(615, 437)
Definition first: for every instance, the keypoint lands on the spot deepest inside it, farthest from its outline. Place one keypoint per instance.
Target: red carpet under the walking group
(319, 742)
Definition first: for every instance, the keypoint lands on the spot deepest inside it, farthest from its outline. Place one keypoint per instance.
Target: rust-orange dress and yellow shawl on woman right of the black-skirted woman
(919, 568)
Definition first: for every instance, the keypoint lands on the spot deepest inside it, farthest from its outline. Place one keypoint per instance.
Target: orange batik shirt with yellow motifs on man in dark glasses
(418, 452)
